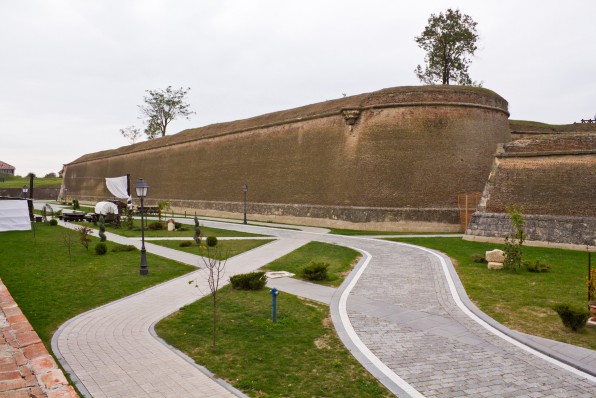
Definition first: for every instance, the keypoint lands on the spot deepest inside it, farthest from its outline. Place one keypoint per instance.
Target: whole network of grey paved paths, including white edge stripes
(399, 313)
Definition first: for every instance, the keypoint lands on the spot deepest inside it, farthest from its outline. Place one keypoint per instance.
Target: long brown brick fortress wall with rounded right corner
(400, 166)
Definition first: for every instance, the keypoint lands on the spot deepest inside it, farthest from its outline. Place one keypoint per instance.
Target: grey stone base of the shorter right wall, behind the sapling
(562, 231)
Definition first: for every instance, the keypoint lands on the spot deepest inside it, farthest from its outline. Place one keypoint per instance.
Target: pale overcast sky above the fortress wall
(73, 71)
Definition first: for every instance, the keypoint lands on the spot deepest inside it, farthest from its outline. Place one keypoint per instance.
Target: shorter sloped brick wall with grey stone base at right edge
(553, 179)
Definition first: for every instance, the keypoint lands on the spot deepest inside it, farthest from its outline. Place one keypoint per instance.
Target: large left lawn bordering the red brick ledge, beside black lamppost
(51, 289)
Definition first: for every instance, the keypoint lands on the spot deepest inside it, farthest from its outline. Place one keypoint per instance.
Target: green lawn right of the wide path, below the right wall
(522, 300)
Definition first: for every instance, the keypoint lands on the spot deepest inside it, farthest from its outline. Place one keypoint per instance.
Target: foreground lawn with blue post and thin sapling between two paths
(299, 356)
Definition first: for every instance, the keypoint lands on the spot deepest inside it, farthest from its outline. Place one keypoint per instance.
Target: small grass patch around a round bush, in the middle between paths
(341, 260)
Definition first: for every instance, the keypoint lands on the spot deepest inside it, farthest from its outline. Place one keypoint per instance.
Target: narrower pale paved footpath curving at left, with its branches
(112, 352)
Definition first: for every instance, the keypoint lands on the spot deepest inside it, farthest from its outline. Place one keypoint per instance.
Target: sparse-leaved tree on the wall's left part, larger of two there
(161, 107)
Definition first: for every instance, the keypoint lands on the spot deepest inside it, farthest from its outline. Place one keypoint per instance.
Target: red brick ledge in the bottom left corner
(26, 368)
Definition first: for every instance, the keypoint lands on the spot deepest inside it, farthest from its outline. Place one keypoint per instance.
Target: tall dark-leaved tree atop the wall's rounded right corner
(448, 39)
